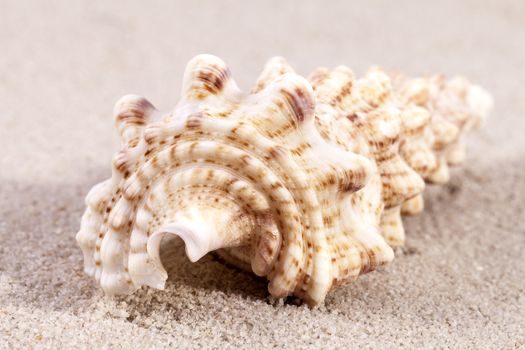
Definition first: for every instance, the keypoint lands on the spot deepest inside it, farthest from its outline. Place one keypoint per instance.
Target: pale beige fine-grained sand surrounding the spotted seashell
(63, 64)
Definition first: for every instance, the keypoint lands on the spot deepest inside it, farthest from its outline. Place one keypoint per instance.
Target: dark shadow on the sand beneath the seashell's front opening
(192, 285)
